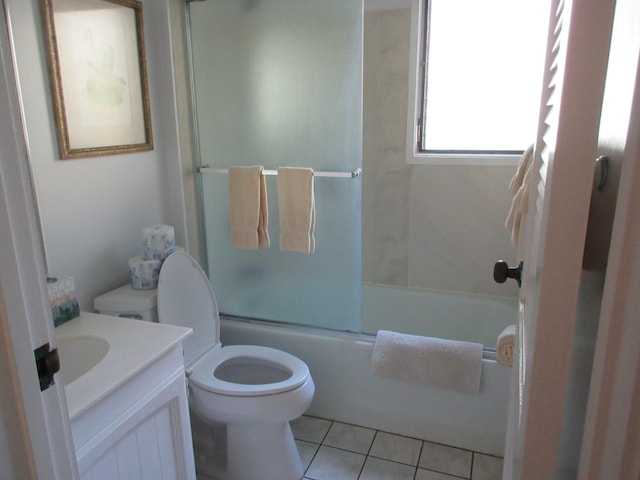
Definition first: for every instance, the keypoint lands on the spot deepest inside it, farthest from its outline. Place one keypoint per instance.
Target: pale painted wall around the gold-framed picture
(93, 210)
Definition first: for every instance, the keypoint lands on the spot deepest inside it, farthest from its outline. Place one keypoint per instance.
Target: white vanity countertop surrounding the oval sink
(133, 347)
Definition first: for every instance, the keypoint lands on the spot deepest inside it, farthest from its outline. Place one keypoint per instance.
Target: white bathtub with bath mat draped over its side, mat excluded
(347, 391)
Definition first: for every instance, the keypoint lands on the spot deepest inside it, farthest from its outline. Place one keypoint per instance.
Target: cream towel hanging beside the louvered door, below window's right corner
(519, 186)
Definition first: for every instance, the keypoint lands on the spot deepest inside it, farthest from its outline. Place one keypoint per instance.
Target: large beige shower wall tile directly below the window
(457, 228)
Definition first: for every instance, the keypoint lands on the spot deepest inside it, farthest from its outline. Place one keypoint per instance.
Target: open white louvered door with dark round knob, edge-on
(565, 152)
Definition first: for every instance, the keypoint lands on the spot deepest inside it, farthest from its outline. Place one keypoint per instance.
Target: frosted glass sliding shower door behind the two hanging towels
(278, 83)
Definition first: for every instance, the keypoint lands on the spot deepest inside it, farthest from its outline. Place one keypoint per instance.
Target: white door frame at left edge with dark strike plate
(42, 437)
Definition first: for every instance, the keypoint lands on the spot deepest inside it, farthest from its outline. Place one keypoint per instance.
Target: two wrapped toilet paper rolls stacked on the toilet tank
(158, 243)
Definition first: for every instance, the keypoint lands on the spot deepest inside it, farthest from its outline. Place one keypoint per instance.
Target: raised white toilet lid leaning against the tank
(186, 298)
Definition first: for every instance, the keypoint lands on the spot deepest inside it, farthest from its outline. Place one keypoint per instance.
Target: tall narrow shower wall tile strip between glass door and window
(386, 179)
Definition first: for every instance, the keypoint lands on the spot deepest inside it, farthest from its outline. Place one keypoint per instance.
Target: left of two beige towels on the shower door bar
(248, 208)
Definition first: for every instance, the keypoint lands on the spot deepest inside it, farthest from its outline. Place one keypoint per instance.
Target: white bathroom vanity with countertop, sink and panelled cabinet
(126, 395)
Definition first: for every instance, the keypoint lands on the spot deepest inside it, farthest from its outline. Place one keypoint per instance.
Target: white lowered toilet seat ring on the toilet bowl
(294, 370)
